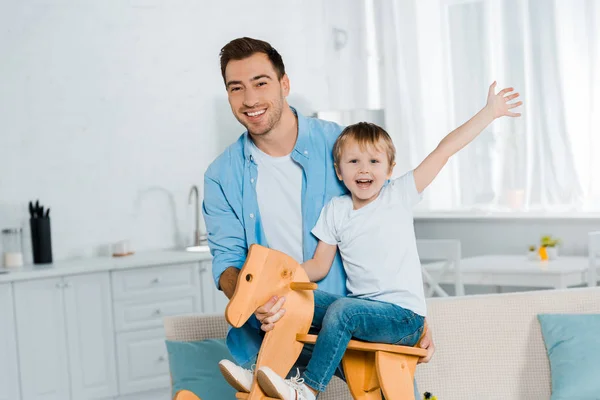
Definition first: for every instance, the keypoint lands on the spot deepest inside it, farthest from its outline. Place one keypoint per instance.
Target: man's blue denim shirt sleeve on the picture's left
(226, 235)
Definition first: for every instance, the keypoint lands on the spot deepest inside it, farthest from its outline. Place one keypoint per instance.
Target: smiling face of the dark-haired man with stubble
(255, 94)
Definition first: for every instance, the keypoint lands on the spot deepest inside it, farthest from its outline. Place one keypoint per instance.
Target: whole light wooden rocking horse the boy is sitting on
(370, 368)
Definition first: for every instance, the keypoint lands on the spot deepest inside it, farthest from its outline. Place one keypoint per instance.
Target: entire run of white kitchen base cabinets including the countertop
(93, 329)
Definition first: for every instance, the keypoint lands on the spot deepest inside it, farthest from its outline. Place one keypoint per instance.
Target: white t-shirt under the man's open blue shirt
(279, 196)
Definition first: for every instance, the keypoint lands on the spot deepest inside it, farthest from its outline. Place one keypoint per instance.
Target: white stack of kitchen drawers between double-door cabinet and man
(142, 298)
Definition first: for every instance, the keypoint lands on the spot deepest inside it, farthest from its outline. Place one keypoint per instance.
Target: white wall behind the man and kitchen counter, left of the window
(110, 110)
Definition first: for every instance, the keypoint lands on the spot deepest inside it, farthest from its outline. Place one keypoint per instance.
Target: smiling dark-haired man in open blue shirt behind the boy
(268, 188)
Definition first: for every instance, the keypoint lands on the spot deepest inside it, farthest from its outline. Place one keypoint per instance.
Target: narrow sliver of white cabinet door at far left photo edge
(9, 366)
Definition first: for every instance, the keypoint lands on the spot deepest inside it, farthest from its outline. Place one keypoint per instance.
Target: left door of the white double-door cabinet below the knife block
(42, 339)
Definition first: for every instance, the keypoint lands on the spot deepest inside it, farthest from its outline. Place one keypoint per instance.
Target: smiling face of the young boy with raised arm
(364, 171)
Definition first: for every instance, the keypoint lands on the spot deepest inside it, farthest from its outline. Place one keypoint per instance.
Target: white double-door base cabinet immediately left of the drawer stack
(65, 338)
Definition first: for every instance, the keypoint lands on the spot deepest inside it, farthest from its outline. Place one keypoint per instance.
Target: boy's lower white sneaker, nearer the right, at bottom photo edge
(288, 389)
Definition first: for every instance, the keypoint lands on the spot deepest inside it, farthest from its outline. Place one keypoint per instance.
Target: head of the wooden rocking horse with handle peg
(266, 273)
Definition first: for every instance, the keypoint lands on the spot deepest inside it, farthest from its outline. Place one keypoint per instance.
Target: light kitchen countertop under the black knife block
(101, 264)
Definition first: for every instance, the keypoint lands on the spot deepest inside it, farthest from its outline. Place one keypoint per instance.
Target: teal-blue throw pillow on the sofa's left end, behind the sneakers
(194, 367)
